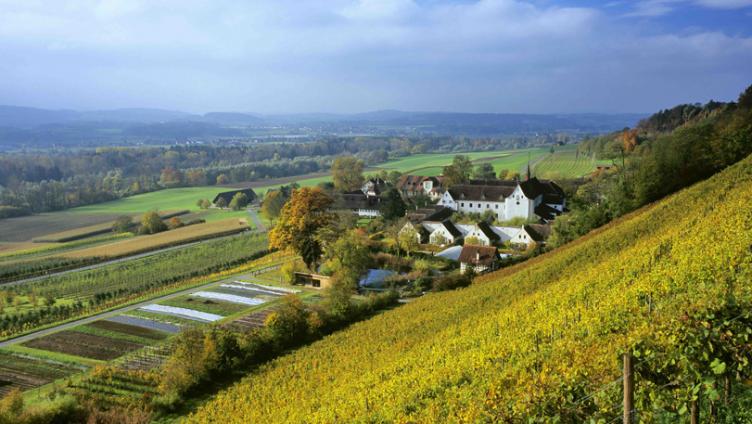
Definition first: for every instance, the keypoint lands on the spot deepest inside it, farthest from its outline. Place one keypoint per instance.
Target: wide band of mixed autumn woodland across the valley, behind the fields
(42, 181)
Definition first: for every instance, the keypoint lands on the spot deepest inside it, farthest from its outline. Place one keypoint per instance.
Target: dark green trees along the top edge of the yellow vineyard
(650, 164)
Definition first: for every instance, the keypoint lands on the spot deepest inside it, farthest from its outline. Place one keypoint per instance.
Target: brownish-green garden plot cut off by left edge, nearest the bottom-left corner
(26, 372)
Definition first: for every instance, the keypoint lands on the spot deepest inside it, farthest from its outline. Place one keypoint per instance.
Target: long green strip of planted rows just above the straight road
(81, 293)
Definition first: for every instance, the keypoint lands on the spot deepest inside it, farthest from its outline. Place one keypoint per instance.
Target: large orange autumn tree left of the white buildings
(301, 218)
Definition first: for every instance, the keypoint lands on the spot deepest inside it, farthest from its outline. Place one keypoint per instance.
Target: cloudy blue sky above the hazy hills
(348, 56)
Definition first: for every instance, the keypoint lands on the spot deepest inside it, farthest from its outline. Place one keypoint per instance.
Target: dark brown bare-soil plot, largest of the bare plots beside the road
(84, 345)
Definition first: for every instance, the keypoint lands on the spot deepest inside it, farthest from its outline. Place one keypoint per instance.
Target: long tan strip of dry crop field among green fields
(164, 239)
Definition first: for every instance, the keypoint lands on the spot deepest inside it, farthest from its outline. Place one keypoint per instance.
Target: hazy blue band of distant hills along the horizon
(34, 127)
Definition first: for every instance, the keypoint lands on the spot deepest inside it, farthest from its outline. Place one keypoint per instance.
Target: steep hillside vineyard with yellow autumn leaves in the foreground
(542, 339)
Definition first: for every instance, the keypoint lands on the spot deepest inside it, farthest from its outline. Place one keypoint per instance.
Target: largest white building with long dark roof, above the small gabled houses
(528, 199)
